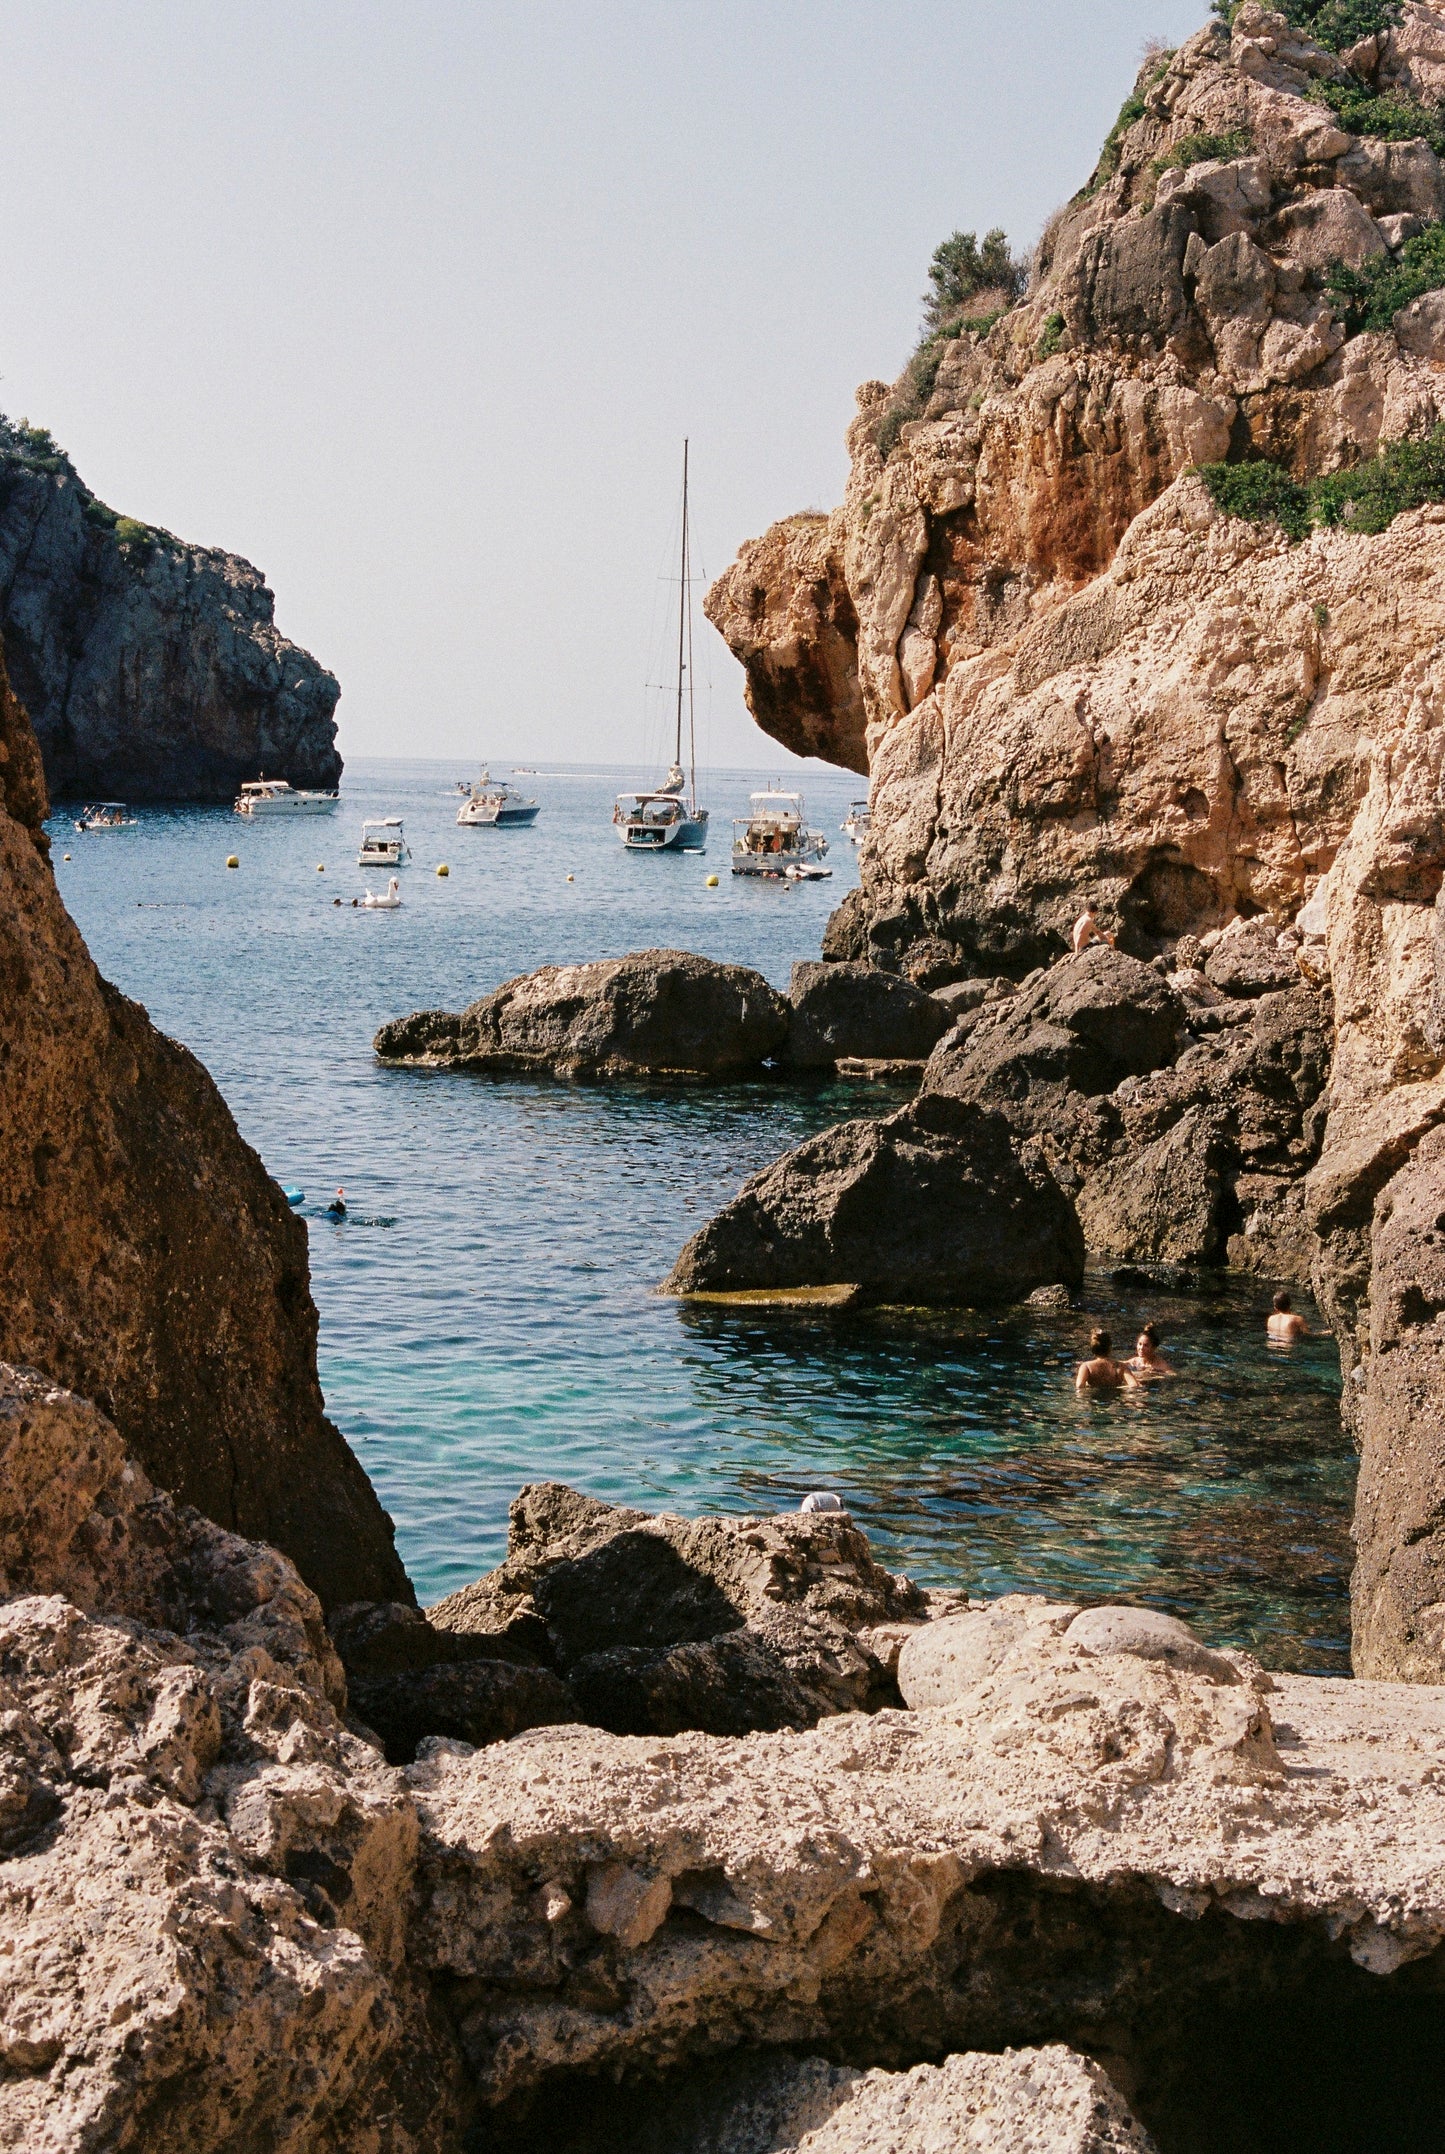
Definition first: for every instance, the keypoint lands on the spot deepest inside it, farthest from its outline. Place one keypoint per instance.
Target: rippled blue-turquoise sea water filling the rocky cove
(488, 1311)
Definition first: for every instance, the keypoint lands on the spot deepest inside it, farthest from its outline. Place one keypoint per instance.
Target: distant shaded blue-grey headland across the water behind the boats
(150, 669)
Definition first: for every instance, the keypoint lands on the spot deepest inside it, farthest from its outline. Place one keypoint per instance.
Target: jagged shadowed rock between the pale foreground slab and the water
(658, 1625)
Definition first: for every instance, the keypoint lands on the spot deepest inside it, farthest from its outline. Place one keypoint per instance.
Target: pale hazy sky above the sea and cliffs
(415, 305)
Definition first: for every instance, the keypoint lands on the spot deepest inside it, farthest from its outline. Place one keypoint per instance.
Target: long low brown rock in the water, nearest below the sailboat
(656, 1013)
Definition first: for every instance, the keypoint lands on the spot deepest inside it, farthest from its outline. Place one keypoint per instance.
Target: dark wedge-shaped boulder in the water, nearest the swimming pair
(934, 1203)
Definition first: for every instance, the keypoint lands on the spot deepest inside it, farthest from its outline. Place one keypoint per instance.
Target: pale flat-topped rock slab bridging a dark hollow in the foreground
(1091, 1845)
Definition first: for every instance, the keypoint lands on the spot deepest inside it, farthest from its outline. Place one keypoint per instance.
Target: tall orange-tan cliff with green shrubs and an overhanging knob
(1149, 581)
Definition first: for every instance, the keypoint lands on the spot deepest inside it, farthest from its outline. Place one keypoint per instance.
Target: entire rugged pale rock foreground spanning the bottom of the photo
(1080, 1860)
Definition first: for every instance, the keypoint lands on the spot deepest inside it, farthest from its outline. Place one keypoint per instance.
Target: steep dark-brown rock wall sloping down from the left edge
(148, 1259)
